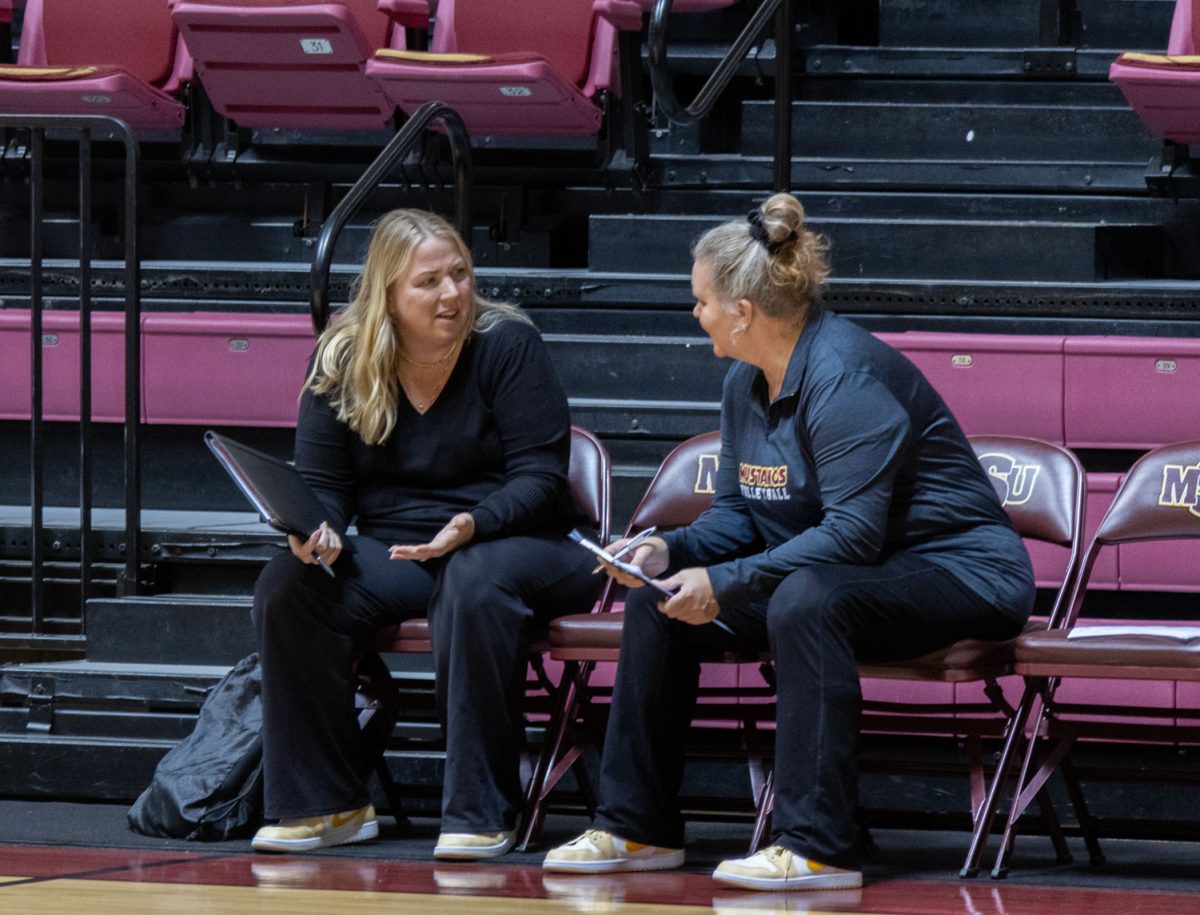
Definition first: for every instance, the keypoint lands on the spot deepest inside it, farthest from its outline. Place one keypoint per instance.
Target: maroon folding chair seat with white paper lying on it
(1135, 656)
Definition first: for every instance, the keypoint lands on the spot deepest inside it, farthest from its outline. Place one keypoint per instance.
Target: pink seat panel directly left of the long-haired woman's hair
(215, 369)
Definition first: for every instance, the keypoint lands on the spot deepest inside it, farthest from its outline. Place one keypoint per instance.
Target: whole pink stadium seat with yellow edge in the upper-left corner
(117, 58)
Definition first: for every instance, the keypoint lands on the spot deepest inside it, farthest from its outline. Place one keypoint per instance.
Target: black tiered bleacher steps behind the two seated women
(970, 162)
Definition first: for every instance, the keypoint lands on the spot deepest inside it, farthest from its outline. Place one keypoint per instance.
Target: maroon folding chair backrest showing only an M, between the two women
(683, 487)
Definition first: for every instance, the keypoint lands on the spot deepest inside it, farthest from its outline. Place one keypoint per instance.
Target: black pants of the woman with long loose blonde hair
(483, 602)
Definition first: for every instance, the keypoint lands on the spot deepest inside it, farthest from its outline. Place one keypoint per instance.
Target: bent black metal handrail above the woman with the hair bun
(667, 101)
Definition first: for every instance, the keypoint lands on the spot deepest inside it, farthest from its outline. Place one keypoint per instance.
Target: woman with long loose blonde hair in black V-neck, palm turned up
(434, 421)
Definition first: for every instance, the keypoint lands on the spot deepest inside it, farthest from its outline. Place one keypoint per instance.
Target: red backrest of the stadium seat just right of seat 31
(561, 31)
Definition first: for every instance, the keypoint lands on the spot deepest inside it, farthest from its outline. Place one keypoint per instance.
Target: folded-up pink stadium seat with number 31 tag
(290, 63)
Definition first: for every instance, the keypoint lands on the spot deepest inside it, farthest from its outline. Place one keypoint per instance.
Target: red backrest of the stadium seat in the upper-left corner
(135, 35)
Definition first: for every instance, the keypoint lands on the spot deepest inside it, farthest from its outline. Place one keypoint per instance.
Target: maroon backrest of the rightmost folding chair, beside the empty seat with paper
(1159, 500)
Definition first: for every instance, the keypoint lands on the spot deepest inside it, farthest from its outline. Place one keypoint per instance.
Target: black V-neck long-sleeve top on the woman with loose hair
(495, 444)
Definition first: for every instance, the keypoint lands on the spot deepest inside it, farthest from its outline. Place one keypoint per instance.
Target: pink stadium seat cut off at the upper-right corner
(1165, 89)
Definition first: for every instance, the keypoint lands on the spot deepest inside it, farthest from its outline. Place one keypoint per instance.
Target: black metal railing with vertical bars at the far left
(86, 125)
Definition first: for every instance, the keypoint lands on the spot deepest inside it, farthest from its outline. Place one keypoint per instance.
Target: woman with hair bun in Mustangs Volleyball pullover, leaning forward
(851, 523)
